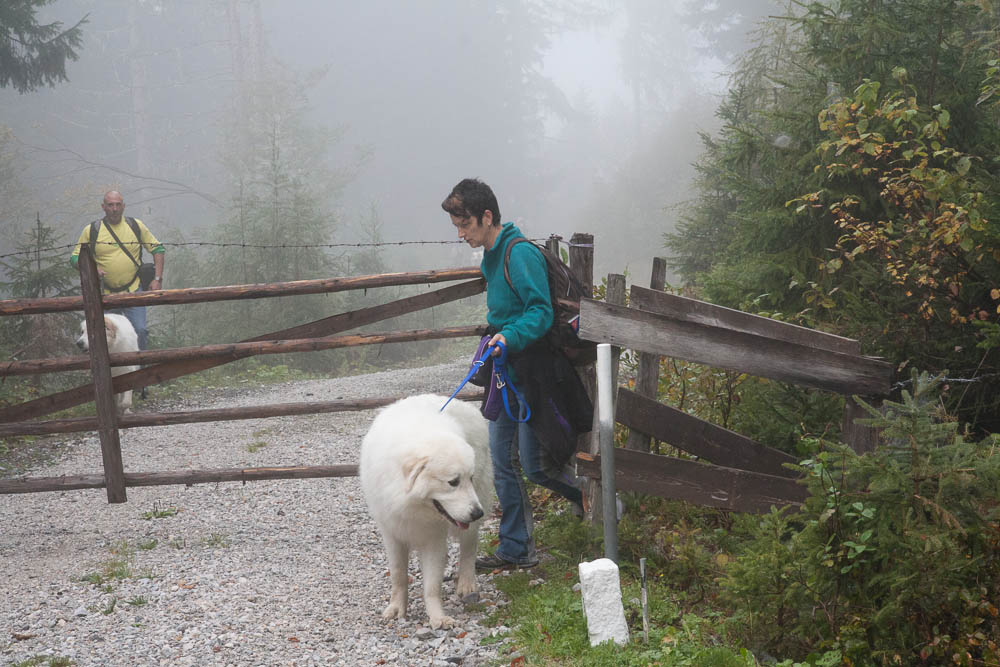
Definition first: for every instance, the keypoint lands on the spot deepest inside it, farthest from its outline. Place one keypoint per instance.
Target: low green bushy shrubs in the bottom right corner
(895, 557)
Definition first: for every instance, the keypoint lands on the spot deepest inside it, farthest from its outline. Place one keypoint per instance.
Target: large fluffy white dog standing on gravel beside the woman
(427, 474)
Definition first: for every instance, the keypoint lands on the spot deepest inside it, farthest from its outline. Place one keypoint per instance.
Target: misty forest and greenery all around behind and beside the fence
(830, 164)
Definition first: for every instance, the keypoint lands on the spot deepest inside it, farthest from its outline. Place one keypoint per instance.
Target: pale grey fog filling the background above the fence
(583, 117)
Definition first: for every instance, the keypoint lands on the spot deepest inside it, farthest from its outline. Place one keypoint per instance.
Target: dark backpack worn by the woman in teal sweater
(565, 291)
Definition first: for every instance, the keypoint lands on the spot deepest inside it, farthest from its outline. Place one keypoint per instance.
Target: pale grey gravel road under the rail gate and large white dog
(287, 572)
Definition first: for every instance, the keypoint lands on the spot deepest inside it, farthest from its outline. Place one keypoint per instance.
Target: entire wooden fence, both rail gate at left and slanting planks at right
(733, 472)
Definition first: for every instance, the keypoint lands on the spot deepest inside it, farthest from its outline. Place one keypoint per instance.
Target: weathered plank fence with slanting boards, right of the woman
(732, 472)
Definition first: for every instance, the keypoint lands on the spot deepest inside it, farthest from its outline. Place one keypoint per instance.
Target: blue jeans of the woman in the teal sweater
(516, 542)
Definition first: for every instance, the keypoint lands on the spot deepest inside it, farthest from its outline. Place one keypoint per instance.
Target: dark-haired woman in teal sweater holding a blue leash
(519, 317)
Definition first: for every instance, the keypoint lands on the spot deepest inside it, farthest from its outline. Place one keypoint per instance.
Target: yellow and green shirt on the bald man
(119, 270)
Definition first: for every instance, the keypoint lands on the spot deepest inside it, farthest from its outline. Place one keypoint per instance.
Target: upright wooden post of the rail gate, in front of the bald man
(104, 393)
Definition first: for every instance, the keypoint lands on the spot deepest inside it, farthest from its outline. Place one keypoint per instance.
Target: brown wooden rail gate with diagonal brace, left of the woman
(161, 365)
